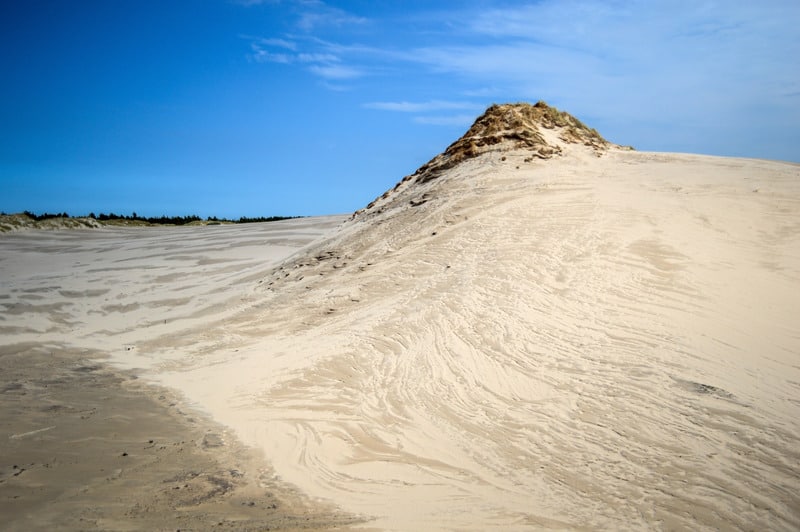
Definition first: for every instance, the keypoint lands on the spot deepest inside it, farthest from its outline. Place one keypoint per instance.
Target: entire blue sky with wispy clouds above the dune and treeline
(301, 107)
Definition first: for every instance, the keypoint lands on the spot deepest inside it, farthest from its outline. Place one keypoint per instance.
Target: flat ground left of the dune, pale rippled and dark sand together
(88, 446)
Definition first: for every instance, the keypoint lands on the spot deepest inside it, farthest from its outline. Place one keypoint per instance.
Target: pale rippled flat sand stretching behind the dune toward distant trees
(110, 288)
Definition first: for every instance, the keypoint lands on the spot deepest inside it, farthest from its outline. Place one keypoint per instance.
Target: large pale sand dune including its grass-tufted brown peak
(554, 332)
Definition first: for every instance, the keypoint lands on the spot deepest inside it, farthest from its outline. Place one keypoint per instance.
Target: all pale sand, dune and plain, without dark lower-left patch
(594, 341)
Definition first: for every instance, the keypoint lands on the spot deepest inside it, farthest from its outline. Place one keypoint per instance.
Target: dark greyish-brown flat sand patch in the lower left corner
(88, 448)
